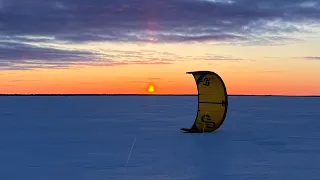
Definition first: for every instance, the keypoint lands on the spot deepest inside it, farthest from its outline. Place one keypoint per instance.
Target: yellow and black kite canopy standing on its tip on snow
(212, 102)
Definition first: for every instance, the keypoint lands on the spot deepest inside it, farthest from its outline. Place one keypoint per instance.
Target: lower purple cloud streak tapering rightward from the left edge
(22, 56)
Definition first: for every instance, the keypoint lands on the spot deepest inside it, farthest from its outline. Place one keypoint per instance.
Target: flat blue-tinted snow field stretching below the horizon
(138, 138)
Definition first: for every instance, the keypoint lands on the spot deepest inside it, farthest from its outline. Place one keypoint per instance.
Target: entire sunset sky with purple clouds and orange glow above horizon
(121, 46)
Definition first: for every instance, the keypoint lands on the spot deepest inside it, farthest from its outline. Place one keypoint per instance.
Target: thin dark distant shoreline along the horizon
(149, 95)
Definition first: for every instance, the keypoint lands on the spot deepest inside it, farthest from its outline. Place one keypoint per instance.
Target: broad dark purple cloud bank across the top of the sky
(155, 20)
